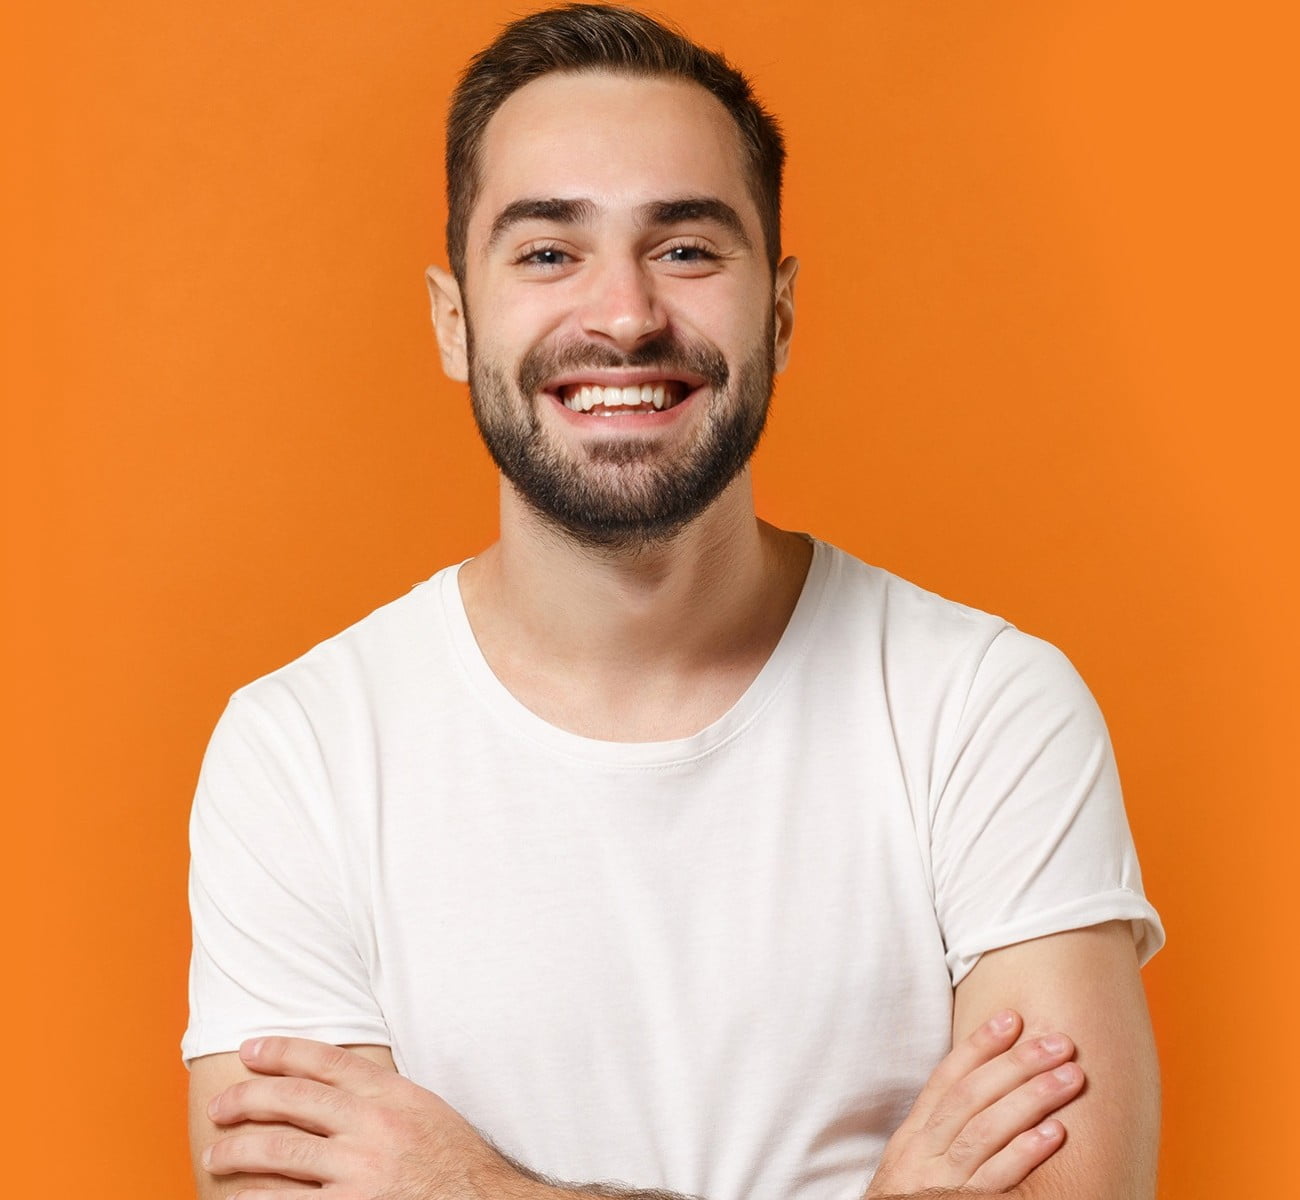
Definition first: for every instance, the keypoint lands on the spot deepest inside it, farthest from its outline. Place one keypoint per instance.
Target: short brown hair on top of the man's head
(600, 38)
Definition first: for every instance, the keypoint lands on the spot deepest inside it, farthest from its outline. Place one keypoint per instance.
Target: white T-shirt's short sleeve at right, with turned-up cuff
(1030, 802)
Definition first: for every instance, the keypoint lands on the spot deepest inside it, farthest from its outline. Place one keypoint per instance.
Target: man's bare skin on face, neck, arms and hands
(300, 1115)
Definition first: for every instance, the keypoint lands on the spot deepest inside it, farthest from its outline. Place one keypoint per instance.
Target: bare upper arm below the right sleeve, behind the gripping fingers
(1084, 984)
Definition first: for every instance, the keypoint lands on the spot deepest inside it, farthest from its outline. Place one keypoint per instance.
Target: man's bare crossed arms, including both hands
(306, 1115)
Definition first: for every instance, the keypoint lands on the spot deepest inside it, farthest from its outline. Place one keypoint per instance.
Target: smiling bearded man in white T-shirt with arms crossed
(657, 844)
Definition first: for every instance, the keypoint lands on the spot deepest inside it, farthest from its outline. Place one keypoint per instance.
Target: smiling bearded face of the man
(621, 317)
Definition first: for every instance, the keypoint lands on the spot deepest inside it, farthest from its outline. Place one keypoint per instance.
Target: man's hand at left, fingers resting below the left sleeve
(362, 1132)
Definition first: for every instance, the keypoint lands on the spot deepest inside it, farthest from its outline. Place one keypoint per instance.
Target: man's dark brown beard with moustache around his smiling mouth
(627, 493)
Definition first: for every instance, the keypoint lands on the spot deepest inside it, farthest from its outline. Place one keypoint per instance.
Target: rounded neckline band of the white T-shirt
(523, 721)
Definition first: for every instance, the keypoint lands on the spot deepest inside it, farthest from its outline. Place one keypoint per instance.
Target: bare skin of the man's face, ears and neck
(730, 580)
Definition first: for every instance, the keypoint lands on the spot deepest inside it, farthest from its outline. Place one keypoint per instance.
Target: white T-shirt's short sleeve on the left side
(274, 946)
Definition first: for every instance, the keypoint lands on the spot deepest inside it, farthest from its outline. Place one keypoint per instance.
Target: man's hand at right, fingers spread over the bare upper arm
(980, 1121)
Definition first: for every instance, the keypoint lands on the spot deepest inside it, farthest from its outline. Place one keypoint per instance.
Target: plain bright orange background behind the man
(1046, 324)
